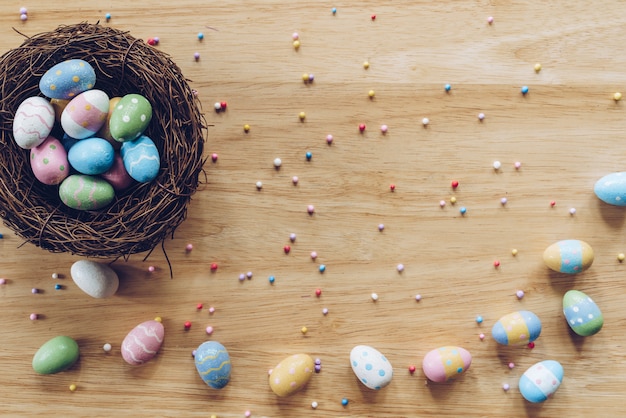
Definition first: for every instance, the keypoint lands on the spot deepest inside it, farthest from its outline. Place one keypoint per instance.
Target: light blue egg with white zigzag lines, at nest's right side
(141, 159)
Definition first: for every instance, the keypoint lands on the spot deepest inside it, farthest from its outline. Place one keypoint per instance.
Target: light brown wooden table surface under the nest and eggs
(567, 132)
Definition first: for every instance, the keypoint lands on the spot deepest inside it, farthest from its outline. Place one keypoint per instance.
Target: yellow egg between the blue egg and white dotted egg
(291, 374)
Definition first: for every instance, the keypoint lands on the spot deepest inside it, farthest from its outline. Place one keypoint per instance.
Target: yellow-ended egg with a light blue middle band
(569, 256)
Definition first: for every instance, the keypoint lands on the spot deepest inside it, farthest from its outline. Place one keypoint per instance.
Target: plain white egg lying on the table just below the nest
(98, 280)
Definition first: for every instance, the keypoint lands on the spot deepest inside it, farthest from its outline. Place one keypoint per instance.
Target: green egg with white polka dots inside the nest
(130, 117)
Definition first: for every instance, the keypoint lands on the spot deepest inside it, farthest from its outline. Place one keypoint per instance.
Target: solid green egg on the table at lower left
(57, 354)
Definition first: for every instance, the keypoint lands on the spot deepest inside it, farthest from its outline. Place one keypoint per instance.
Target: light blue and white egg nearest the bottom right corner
(541, 380)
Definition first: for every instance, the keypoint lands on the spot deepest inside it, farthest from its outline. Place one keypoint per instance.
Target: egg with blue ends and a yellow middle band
(516, 328)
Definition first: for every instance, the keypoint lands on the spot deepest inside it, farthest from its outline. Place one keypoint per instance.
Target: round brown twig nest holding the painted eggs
(143, 216)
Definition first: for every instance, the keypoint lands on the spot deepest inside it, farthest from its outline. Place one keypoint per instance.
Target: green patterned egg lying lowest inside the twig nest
(82, 192)
